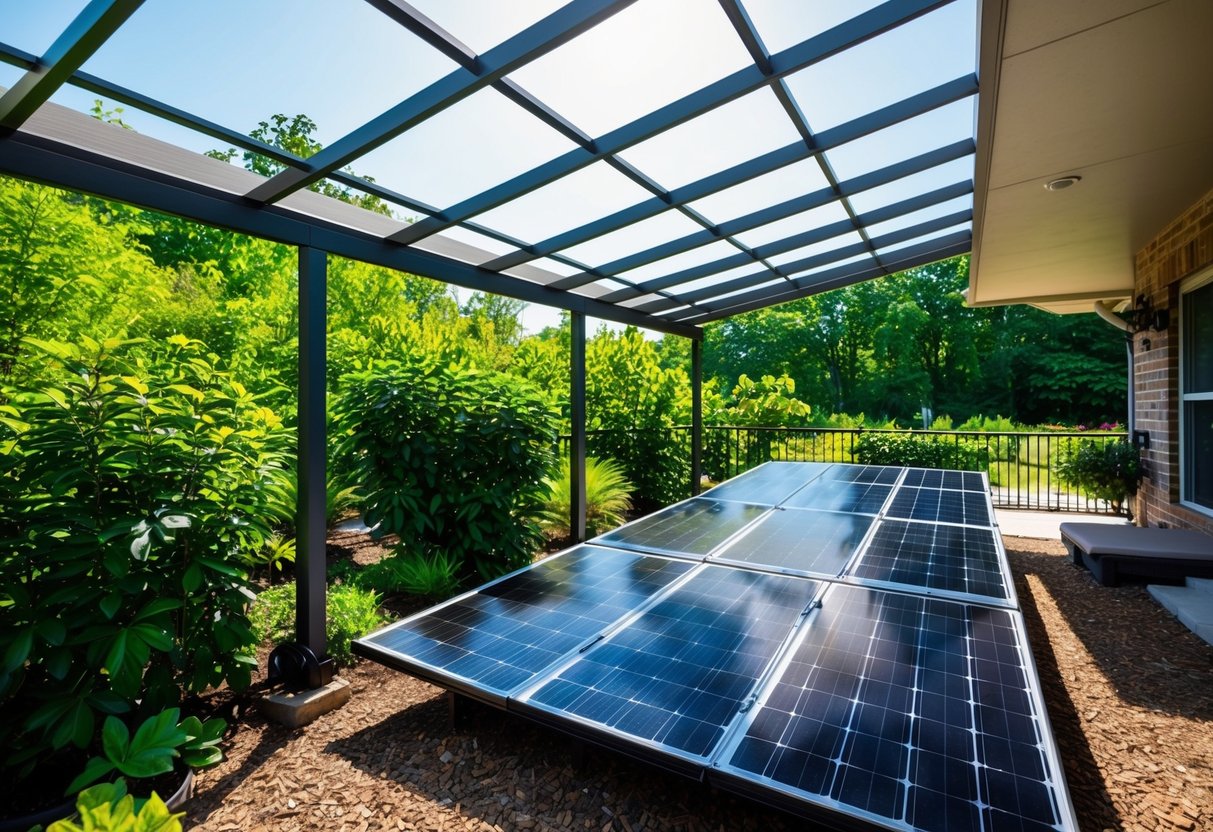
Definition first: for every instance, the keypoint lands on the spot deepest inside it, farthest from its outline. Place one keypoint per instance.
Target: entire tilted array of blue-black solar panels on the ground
(840, 641)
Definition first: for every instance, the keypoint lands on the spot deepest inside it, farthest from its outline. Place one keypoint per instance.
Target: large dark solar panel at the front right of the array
(906, 711)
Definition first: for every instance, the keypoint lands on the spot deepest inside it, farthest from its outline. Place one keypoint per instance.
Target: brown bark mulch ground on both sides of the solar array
(1130, 694)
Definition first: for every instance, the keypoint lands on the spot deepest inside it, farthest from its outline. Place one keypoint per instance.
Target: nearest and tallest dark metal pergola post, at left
(310, 568)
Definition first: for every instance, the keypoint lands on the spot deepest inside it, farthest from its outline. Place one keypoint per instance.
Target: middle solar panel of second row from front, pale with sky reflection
(818, 544)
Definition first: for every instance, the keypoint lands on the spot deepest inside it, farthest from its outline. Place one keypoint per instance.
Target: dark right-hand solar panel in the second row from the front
(958, 560)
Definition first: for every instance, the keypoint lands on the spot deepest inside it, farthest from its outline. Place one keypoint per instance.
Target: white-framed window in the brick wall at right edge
(1197, 392)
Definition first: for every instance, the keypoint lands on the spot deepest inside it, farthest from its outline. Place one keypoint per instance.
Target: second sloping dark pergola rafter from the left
(532, 43)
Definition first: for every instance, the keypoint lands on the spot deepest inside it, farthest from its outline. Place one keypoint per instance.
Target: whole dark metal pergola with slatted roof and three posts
(910, 208)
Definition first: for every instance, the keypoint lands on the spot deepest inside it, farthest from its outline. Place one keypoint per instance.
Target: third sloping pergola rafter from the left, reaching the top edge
(749, 79)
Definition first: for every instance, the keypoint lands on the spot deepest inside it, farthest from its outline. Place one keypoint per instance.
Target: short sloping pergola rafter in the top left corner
(92, 29)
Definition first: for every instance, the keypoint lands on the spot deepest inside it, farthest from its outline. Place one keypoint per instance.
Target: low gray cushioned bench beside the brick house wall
(1155, 555)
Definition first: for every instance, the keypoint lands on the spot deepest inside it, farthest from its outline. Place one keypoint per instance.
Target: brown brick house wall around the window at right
(1183, 248)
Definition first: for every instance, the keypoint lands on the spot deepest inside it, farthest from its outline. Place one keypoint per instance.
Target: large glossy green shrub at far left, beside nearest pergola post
(129, 491)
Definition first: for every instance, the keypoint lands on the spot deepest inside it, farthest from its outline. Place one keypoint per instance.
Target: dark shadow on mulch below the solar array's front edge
(494, 755)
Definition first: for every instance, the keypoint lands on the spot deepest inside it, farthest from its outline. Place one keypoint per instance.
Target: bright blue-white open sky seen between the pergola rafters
(238, 62)
